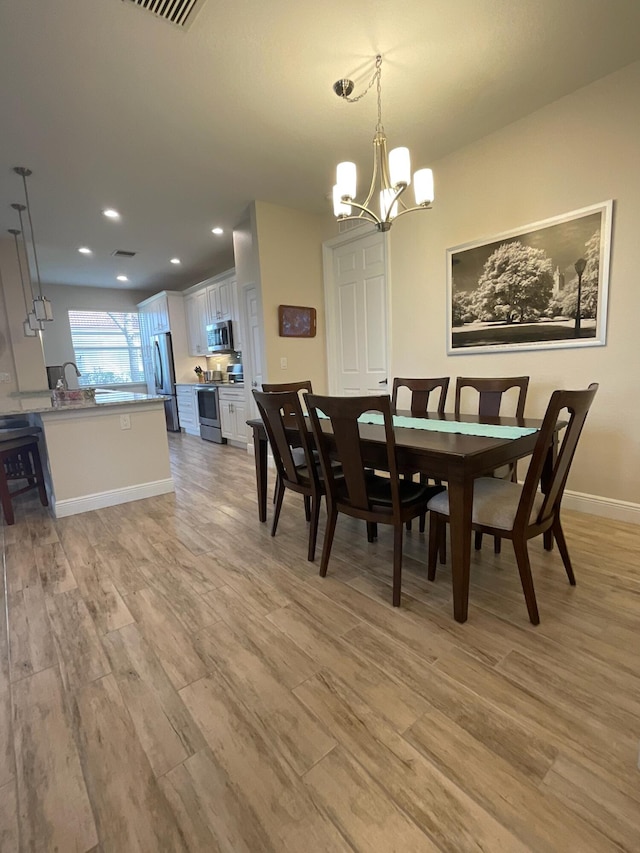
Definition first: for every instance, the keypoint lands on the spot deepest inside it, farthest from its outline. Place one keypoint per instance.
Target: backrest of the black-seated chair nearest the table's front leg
(337, 437)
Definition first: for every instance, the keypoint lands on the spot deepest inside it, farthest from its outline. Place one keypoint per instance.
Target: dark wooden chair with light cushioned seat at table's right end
(521, 511)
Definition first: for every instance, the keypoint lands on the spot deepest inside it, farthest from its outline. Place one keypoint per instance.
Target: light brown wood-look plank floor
(172, 678)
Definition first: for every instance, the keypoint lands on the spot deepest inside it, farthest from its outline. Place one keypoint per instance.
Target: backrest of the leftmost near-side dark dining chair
(284, 422)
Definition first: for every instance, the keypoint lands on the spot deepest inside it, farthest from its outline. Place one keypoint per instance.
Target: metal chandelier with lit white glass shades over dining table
(391, 173)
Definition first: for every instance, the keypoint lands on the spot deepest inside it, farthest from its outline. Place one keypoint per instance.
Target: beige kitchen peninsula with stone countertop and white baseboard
(97, 452)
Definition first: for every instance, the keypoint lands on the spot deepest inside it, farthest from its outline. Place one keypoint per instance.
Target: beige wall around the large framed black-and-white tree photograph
(576, 152)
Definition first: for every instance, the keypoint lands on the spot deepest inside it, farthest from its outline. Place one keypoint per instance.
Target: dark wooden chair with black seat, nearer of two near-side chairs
(356, 490)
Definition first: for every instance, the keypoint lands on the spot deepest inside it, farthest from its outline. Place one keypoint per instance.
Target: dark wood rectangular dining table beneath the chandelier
(452, 457)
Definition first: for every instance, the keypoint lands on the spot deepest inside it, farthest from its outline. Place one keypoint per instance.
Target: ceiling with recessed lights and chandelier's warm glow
(180, 129)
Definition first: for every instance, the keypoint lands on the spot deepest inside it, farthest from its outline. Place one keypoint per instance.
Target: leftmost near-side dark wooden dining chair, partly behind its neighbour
(296, 466)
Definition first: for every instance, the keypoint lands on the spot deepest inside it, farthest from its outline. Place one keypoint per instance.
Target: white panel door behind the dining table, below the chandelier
(360, 316)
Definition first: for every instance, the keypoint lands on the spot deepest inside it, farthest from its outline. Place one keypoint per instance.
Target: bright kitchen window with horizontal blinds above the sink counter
(107, 347)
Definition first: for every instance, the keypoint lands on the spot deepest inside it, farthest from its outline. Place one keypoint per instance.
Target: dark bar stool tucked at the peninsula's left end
(20, 460)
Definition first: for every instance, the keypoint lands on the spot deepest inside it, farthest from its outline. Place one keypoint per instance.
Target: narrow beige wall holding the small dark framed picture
(290, 253)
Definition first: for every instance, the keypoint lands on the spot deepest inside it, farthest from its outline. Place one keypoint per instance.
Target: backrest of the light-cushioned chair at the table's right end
(577, 404)
